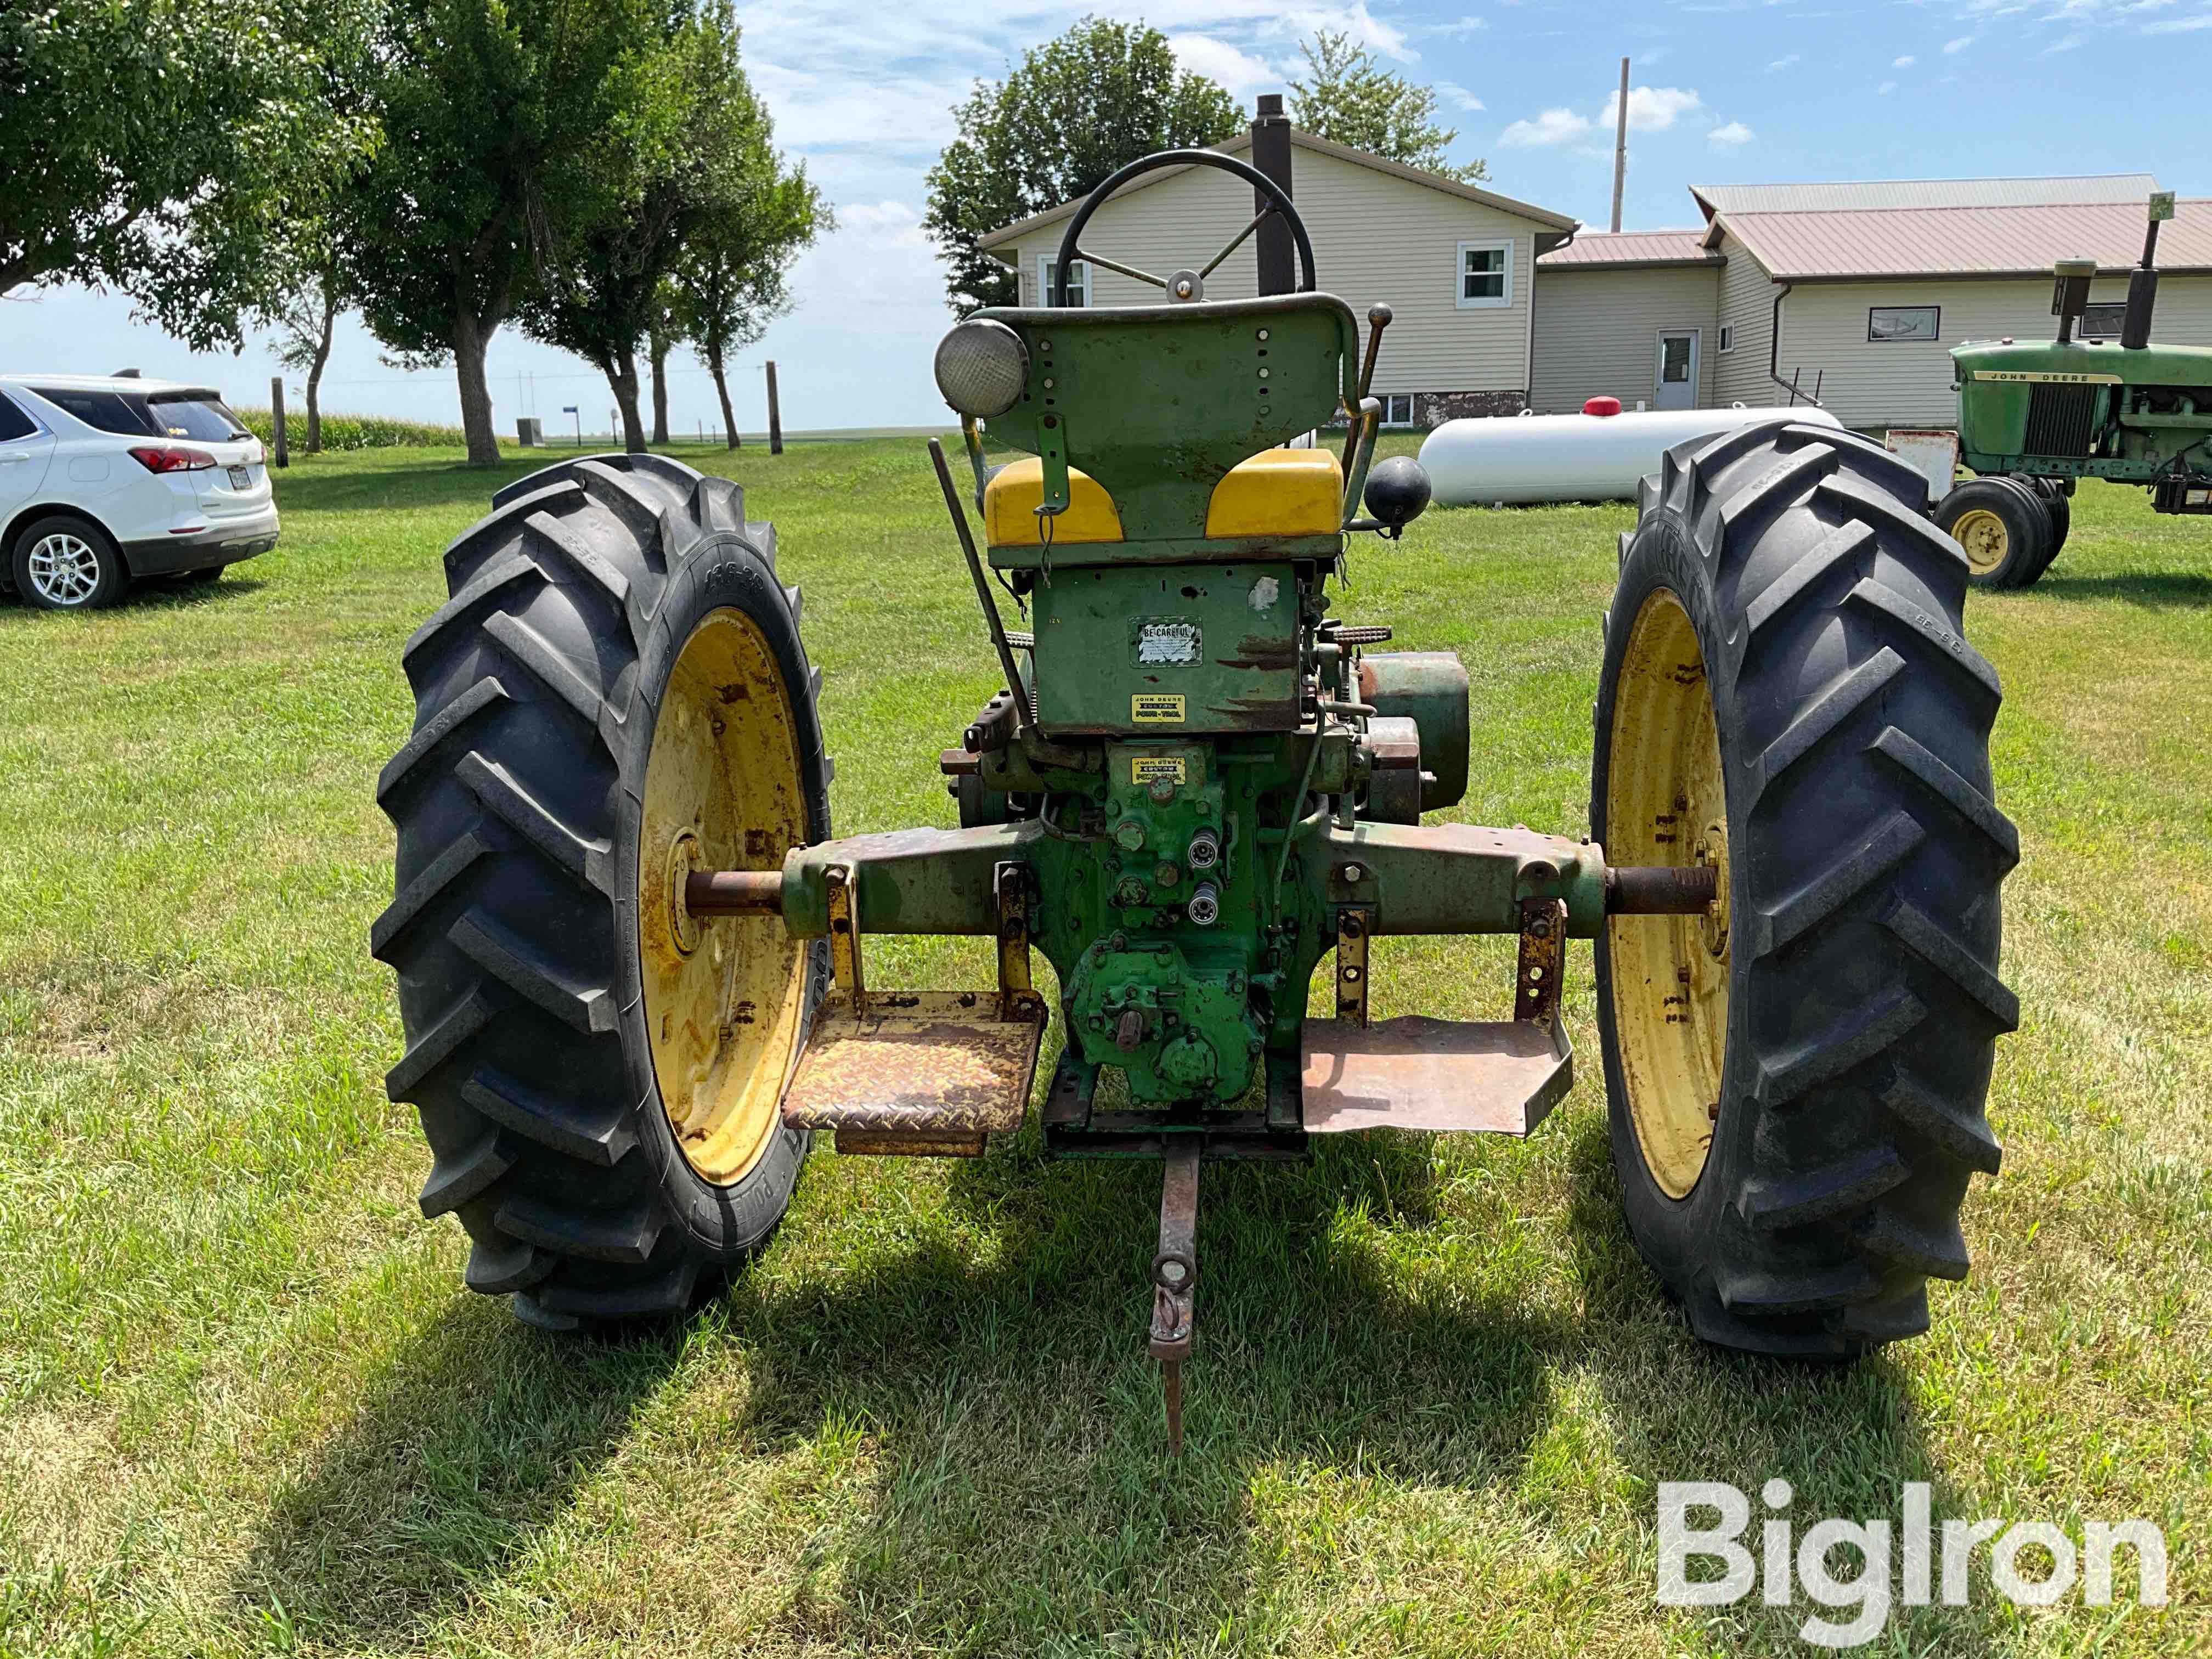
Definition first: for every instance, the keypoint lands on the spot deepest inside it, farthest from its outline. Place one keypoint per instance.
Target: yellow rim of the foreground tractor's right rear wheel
(1667, 806)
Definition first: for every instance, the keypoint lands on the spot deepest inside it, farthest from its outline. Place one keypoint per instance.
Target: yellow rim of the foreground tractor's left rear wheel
(724, 999)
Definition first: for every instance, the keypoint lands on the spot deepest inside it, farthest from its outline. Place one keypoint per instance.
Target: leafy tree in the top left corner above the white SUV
(176, 149)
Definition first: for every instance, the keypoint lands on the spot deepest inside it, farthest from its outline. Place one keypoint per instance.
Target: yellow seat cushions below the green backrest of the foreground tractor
(1277, 492)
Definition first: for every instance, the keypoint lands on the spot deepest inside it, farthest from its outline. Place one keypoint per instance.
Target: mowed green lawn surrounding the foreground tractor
(249, 1408)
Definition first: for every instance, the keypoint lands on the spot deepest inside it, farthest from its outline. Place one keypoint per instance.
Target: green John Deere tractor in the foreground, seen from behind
(632, 952)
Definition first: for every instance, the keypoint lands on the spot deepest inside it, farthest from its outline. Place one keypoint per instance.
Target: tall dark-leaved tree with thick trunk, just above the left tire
(497, 116)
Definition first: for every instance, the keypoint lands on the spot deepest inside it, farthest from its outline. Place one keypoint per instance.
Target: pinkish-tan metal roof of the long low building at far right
(1965, 242)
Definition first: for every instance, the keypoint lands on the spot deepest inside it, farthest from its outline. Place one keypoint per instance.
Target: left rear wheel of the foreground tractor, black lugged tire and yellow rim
(614, 696)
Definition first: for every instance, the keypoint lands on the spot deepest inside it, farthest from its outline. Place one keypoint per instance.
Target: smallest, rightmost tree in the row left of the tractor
(731, 282)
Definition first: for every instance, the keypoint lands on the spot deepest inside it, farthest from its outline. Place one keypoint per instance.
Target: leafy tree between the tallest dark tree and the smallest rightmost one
(682, 160)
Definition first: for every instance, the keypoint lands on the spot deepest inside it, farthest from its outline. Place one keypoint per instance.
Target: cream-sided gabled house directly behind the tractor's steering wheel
(1454, 262)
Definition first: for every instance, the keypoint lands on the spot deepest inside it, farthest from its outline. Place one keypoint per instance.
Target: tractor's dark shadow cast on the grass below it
(1019, 1496)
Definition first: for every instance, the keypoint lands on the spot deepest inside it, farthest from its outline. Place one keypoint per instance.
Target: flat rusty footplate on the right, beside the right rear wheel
(1446, 1076)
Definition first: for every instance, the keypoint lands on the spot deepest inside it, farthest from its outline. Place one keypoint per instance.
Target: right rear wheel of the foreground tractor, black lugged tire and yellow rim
(1797, 1081)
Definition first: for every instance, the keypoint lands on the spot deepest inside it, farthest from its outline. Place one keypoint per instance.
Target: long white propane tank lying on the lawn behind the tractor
(1574, 459)
